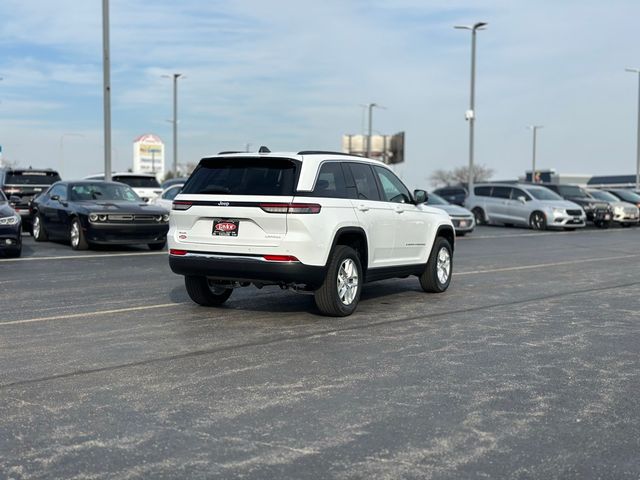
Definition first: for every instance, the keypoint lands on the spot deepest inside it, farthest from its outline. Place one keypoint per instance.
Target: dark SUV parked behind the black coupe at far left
(25, 184)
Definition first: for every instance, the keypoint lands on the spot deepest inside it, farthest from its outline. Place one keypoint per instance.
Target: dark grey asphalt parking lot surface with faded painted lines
(528, 367)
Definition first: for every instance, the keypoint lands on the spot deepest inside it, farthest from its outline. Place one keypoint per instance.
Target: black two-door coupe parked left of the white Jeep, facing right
(93, 212)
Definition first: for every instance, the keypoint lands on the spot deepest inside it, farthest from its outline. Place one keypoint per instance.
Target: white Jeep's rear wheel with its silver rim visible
(340, 292)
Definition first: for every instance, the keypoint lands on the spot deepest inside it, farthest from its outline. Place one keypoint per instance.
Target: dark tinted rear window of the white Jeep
(243, 176)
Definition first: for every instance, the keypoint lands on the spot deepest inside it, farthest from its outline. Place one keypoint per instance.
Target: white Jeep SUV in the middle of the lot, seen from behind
(319, 222)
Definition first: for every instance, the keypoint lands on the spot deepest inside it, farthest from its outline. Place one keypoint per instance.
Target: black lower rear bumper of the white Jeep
(246, 268)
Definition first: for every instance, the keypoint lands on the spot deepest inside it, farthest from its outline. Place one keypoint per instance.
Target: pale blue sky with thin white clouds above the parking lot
(291, 75)
